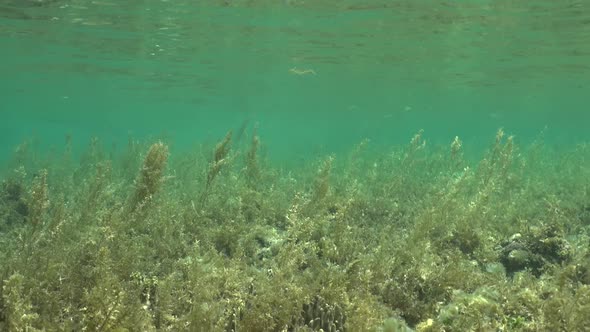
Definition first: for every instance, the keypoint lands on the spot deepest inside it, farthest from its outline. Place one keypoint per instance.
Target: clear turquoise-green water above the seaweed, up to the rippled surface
(312, 75)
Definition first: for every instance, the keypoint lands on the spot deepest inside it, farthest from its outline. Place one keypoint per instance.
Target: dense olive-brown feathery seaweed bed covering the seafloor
(420, 238)
